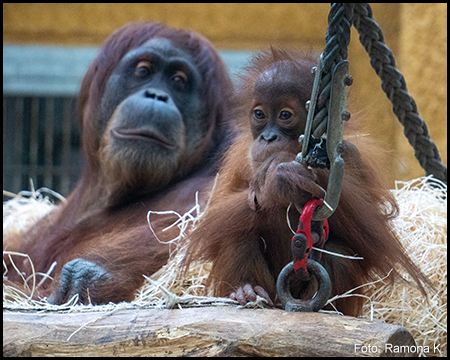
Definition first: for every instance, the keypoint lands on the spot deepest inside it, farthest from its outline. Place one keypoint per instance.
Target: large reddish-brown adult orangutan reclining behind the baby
(153, 108)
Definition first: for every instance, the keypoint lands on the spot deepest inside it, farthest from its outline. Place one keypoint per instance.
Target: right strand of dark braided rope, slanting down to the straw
(394, 85)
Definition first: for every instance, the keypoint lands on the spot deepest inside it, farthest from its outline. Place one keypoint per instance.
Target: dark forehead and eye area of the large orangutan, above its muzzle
(156, 67)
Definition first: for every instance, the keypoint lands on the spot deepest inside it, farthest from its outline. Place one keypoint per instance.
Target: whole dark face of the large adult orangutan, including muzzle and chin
(149, 115)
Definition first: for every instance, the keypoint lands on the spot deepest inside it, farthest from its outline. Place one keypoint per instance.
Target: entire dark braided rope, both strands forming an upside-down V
(340, 20)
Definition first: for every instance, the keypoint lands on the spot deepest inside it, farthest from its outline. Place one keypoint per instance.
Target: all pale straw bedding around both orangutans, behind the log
(421, 226)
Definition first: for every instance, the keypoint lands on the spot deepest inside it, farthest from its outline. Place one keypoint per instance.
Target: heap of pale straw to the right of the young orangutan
(422, 228)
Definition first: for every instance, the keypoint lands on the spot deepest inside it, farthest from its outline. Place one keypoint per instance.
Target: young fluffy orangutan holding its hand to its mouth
(244, 232)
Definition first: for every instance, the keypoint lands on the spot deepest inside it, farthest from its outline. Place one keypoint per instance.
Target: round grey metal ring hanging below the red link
(317, 302)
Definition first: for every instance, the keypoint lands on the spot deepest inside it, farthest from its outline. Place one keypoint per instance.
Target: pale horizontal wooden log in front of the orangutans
(207, 331)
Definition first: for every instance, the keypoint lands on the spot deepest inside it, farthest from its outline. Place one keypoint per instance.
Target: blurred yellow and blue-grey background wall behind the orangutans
(416, 33)
